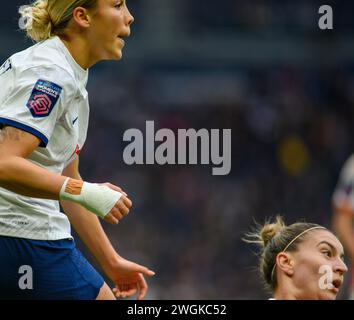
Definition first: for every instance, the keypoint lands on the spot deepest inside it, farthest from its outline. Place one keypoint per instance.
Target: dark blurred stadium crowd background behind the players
(262, 68)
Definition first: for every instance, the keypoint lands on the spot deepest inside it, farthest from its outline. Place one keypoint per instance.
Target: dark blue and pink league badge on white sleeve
(44, 97)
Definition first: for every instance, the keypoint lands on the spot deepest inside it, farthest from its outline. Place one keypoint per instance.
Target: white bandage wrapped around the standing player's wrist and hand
(96, 198)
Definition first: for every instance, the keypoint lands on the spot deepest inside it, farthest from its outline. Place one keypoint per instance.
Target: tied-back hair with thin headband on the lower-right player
(273, 238)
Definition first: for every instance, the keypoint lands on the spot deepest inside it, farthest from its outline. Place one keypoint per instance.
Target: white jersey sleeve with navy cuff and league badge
(34, 99)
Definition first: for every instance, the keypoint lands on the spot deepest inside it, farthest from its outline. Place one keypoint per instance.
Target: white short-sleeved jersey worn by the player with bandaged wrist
(43, 91)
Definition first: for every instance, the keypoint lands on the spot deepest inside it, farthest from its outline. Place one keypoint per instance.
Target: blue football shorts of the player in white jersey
(45, 270)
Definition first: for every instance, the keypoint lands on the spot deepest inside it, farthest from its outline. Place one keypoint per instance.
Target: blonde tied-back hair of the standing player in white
(47, 18)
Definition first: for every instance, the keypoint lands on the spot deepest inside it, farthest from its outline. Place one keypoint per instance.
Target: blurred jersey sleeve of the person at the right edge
(343, 196)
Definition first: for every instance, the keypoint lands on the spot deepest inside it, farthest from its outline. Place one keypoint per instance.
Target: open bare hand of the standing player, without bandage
(129, 278)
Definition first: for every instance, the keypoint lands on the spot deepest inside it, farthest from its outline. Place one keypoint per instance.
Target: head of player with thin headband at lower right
(302, 261)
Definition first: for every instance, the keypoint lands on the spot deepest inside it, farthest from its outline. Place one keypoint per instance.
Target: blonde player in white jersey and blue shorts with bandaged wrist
(44, 113)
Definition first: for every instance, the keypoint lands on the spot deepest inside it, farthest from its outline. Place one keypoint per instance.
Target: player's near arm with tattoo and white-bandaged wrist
(21, 176)
